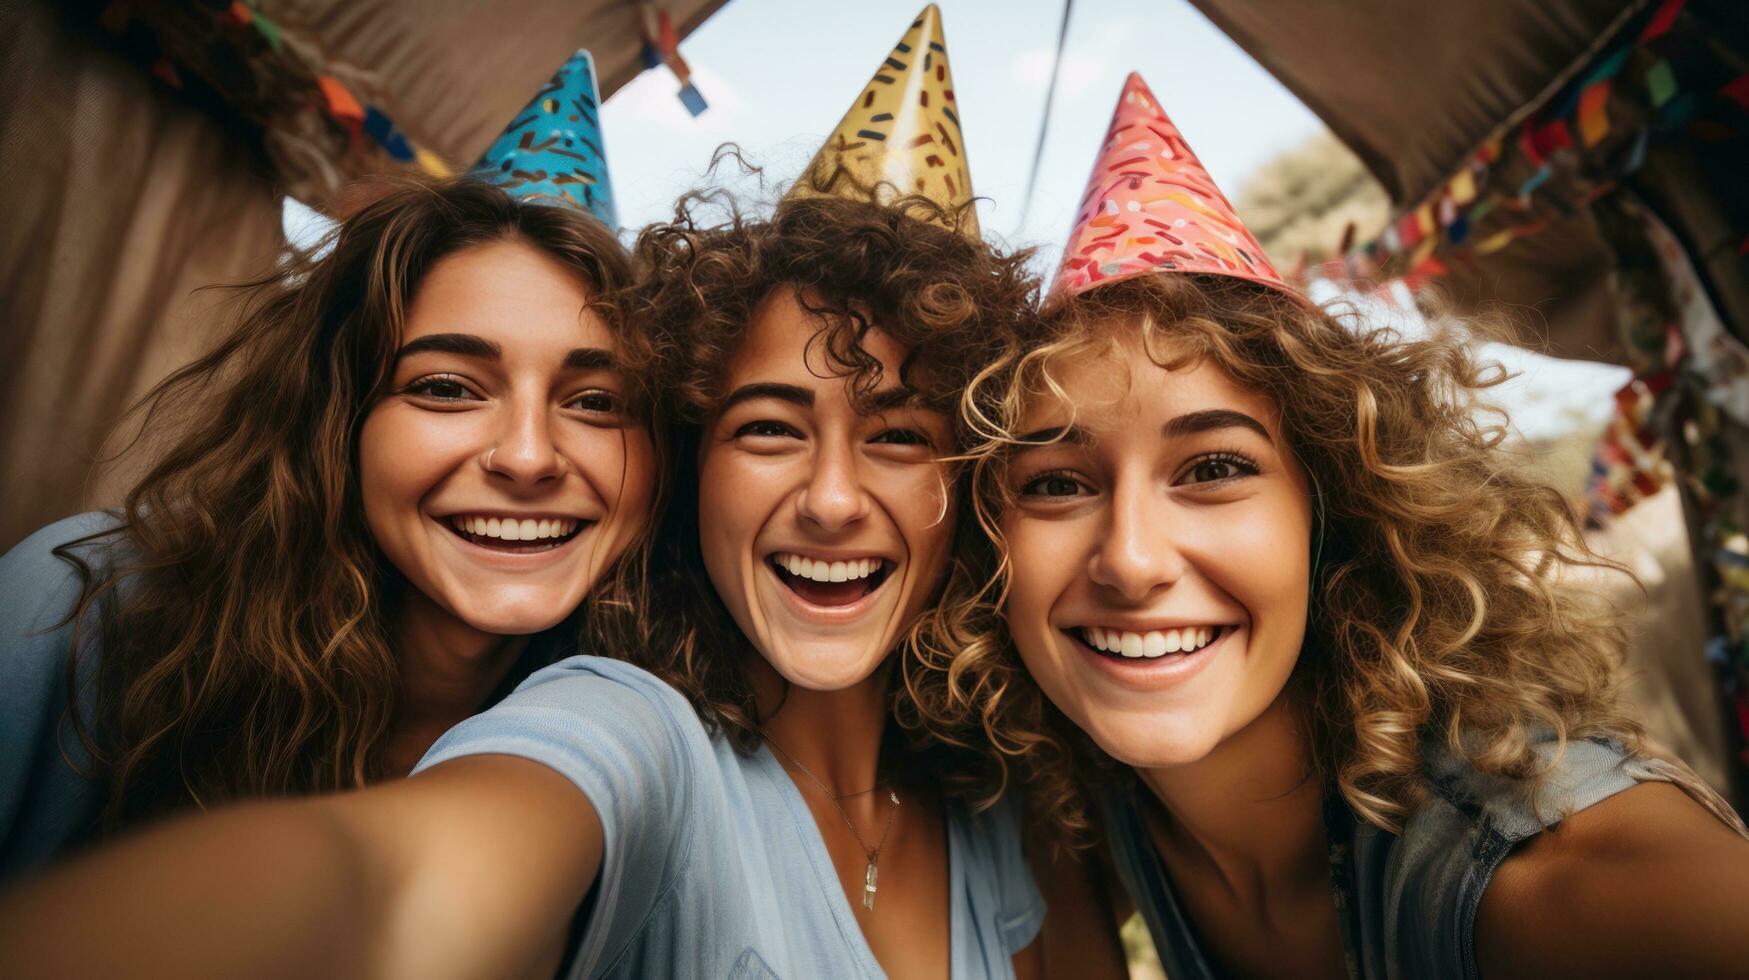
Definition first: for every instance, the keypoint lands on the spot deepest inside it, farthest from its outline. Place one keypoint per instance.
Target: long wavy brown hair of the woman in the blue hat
(240, 617)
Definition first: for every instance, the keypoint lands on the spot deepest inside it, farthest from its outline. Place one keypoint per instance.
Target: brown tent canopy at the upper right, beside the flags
(1414, 88)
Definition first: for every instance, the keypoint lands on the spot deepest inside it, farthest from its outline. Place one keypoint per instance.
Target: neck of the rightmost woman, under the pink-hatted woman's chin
(1251, 811)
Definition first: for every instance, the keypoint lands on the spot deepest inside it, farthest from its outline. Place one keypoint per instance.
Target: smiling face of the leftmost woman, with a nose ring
(505, 472)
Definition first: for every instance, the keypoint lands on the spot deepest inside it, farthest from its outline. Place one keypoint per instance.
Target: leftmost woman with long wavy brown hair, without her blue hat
(382, 500)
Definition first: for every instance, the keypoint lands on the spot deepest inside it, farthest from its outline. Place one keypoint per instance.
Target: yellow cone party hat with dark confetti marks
(903, 134)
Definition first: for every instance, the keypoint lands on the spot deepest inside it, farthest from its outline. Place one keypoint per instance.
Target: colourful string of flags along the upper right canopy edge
(1570, 153)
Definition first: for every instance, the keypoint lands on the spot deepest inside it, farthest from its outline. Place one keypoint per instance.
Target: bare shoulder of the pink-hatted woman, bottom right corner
(1638, 883)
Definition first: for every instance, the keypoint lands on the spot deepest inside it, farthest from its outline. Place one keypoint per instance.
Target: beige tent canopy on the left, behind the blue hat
(125, 195)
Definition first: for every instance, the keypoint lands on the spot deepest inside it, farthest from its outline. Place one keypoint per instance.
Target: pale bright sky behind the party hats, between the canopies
(779, 74)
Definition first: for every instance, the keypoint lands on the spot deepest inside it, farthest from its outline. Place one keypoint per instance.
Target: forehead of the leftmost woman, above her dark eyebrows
(510, 293)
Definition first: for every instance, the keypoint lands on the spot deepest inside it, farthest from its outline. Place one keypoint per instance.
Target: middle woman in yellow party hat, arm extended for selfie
(735, 797)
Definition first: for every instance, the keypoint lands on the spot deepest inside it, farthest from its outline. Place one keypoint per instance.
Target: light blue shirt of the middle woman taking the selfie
(713, 864)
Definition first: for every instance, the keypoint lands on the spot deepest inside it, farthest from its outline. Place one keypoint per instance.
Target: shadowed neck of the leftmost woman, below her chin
(447, 673)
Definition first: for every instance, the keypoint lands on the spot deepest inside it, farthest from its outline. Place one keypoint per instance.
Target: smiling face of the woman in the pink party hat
(1160, 554)
